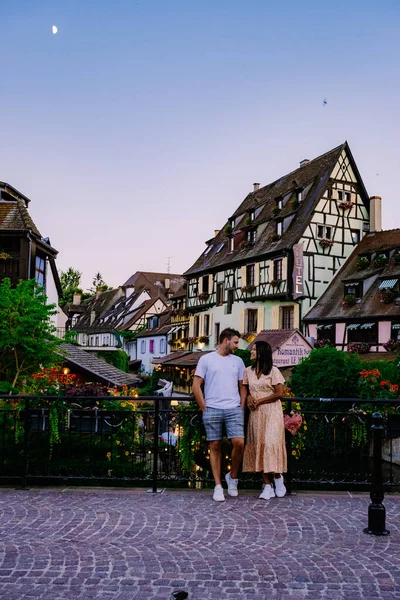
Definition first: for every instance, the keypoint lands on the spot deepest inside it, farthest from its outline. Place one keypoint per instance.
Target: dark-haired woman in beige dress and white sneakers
(265, 449)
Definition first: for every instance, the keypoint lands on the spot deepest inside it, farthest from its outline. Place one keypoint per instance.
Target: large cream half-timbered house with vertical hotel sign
(279, 250)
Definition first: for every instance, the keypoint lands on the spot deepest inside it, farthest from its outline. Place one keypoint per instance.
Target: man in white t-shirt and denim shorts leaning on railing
(223, 403)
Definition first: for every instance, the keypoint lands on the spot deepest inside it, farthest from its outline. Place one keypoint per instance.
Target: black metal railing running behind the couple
(151, 441)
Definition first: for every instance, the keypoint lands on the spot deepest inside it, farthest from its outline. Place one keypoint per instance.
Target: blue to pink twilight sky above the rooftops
(141, 125)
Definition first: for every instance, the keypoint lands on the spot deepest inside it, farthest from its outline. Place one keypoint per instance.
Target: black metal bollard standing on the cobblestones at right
(376, 510)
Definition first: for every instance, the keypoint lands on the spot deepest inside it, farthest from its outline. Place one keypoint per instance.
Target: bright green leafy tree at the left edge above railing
(27, 342)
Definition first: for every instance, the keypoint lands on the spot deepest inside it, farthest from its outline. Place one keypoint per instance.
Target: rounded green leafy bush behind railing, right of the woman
(327, 373)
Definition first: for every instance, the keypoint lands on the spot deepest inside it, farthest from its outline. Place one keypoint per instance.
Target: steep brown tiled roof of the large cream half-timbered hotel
(312, 178)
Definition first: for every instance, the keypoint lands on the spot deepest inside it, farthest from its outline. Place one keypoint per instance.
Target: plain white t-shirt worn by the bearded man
(221, 375)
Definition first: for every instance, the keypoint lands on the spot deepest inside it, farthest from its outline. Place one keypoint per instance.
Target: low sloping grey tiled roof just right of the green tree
(97, 367)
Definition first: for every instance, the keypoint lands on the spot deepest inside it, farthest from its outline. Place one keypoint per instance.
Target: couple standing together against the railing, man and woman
(228, 387)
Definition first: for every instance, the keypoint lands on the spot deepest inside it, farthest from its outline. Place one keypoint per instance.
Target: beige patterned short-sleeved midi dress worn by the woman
(265, 445)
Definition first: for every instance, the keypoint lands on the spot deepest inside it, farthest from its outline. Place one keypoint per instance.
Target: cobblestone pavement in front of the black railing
(126, 544)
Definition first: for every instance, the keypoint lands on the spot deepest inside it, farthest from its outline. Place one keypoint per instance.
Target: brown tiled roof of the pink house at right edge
(330, 304)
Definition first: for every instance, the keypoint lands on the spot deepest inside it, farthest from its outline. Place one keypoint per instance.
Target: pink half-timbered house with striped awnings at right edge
(360, 309)
